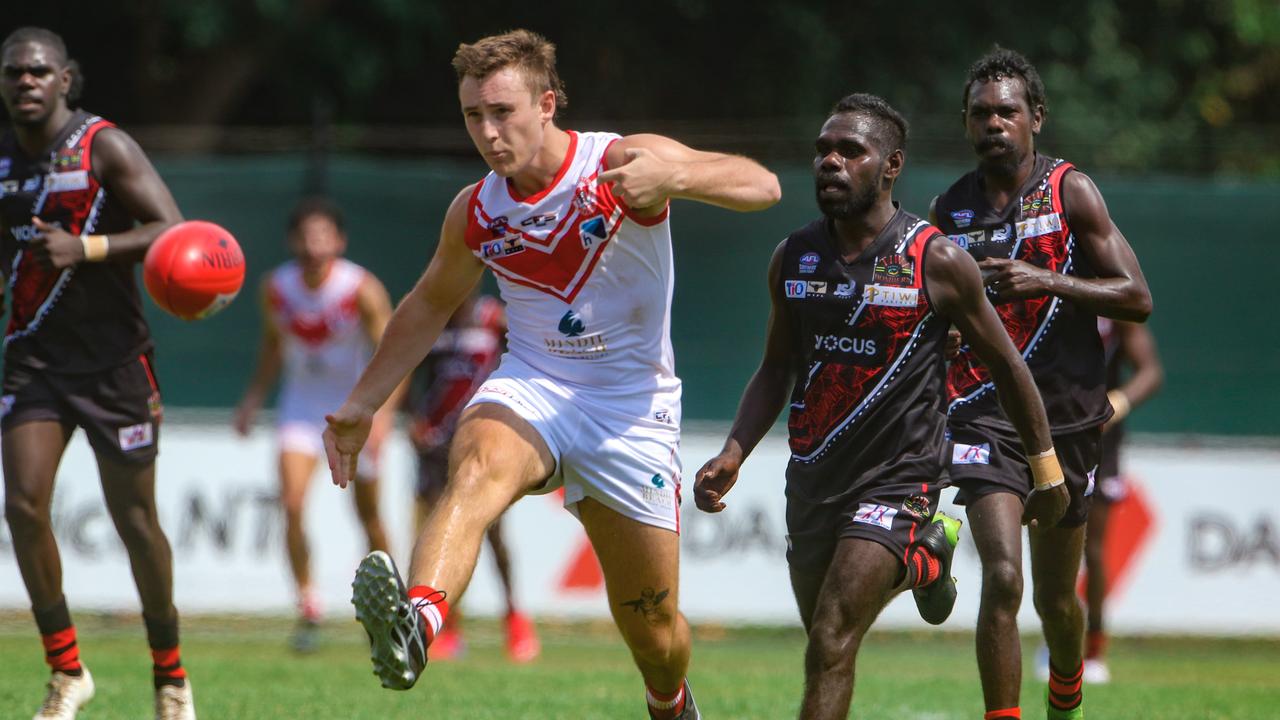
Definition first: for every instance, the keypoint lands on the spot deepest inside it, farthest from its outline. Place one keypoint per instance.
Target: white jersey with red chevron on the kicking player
(588, 284)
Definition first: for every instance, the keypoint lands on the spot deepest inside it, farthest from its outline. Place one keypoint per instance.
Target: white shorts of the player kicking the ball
(623, 452)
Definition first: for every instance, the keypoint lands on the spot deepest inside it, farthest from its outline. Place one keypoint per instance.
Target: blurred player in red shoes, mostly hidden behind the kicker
(461, 359)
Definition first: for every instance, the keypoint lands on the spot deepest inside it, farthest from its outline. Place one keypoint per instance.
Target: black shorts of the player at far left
(120, 409)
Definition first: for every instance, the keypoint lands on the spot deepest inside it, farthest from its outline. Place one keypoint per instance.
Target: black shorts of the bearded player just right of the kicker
(892, 516)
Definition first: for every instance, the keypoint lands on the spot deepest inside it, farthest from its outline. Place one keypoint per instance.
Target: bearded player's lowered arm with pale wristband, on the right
(956, 289)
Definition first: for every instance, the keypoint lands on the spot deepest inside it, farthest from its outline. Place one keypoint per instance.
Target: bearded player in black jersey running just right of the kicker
(860, 157)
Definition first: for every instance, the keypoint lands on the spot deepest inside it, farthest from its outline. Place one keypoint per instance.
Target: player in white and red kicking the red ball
(575, 227)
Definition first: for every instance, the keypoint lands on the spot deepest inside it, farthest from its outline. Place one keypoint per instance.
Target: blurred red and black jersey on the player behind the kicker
(461, 359)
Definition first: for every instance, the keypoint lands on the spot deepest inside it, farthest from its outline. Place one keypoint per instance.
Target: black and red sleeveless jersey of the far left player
(85, 318)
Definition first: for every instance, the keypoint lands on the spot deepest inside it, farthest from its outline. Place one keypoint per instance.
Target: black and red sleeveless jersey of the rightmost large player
(1059, 340)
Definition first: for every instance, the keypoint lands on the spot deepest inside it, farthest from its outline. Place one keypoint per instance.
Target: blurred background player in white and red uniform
(322, 316)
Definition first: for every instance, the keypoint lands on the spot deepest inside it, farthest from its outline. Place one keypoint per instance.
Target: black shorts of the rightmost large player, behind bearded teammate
(988, 461)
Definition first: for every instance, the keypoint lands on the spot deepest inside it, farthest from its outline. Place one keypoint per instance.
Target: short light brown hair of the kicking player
(531, 53)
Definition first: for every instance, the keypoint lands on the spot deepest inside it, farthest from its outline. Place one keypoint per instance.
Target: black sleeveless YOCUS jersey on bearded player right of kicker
(868, 407)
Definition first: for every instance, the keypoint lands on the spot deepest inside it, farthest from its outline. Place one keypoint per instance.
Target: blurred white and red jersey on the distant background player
(323, 341)
